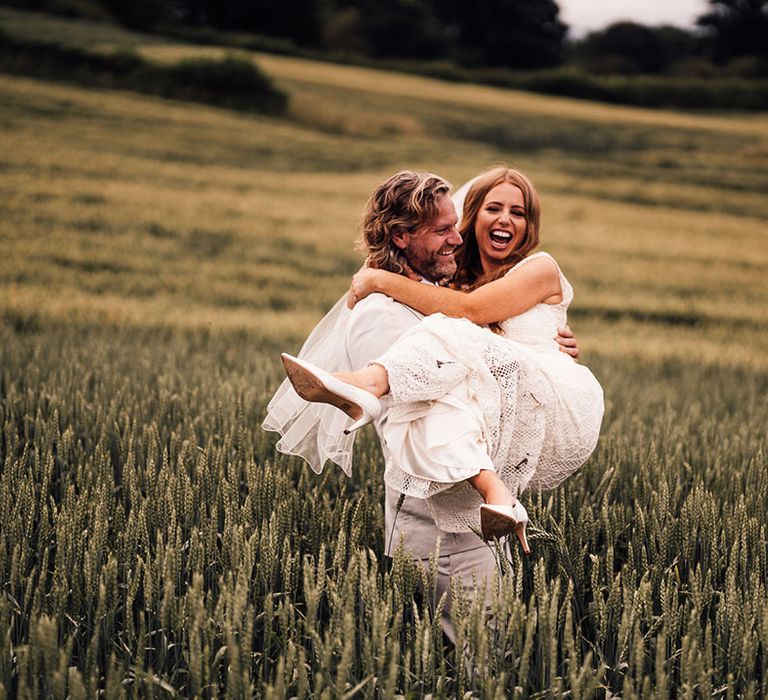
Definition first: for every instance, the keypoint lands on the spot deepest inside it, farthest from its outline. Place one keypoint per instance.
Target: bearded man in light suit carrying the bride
(410, 227)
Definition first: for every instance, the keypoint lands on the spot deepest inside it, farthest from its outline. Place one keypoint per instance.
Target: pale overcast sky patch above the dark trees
(585, 15)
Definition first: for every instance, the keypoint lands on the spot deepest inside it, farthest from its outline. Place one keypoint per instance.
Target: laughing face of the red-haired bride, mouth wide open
(500, 225)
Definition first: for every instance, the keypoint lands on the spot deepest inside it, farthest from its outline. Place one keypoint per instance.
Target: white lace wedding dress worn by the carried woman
(463, 398)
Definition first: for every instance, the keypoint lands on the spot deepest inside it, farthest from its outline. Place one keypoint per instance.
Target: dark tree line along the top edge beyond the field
(515, 34)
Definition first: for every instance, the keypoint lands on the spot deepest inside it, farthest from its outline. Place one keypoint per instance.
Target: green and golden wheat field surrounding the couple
(157, 255)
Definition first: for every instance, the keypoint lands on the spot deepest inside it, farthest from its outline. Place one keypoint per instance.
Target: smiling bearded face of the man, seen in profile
(431, 249)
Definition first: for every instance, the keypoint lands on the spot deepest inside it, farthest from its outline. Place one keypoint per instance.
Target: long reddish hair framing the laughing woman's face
(470, 274)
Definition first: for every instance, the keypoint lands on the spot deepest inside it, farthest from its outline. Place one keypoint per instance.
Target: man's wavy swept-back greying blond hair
(405, 202)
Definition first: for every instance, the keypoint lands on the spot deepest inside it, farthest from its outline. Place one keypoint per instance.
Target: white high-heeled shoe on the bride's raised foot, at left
(317, 385)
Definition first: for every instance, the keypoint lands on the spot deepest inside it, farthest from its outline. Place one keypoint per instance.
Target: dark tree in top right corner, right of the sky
(737, 27)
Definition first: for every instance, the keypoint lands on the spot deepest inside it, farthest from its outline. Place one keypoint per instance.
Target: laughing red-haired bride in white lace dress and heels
(538, 410)
